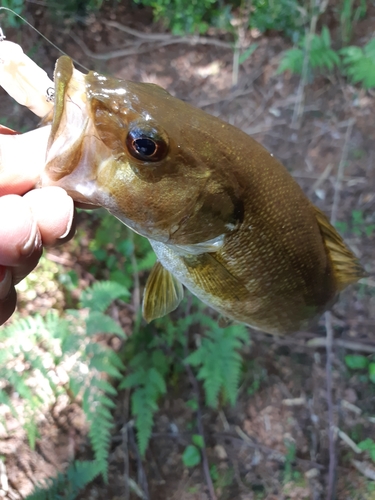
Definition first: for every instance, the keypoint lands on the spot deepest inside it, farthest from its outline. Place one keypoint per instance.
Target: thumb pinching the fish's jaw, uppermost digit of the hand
(22, 160)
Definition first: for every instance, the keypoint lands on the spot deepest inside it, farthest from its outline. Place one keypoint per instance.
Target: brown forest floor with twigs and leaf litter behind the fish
(274, 444)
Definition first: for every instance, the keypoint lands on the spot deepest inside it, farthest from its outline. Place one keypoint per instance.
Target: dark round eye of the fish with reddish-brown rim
(146, 145)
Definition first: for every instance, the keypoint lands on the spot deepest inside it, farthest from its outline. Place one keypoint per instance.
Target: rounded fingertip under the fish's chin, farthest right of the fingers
(53, 212)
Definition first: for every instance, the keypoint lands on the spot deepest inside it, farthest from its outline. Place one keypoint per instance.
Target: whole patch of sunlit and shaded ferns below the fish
(152, 359)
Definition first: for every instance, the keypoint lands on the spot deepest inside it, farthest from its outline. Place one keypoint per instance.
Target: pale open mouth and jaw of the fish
(74, 150)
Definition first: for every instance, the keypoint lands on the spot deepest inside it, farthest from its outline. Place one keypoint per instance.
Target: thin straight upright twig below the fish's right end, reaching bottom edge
(332, 456)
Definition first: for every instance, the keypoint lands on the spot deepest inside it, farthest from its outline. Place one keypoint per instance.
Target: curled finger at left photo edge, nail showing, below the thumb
(19, 234)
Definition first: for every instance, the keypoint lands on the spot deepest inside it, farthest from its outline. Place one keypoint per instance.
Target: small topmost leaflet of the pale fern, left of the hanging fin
(99, 296)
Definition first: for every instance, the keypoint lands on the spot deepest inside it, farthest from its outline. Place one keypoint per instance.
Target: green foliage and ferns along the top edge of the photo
(295, 19)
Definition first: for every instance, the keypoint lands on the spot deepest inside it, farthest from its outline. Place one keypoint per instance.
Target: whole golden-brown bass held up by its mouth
(224, 217)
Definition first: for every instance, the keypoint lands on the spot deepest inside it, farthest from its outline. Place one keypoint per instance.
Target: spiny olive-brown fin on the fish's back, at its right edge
(346, 266)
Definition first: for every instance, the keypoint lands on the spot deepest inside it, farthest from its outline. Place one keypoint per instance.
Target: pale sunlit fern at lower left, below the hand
(41, 346)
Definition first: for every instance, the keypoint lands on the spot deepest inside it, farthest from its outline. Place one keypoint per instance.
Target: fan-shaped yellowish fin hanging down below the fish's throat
(163, 293)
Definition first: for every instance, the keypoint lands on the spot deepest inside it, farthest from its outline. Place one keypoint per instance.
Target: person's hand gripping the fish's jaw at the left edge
(28, 222)
